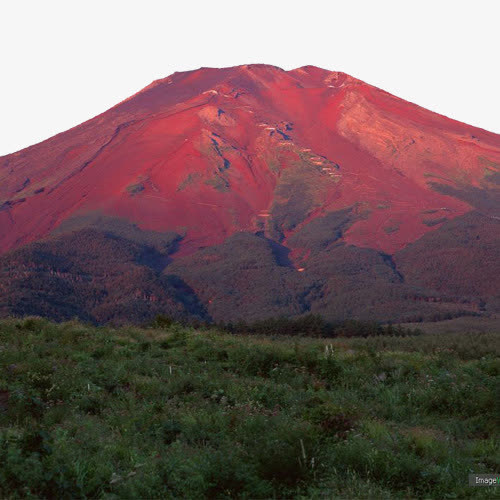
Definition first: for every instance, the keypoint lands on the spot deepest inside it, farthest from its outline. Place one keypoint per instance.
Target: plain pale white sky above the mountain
(64, 62)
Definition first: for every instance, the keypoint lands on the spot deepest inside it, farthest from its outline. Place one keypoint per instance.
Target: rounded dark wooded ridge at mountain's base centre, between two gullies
(242, 279)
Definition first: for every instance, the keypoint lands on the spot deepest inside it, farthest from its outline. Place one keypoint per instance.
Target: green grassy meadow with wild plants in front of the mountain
(150, 413)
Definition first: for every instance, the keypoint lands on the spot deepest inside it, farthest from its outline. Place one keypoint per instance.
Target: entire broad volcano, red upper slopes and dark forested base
(249, 192)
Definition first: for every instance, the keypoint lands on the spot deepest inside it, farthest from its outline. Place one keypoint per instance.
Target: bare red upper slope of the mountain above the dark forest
(214, 151)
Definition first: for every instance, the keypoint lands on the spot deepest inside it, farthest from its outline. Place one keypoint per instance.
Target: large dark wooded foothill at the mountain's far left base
(98, 276)
